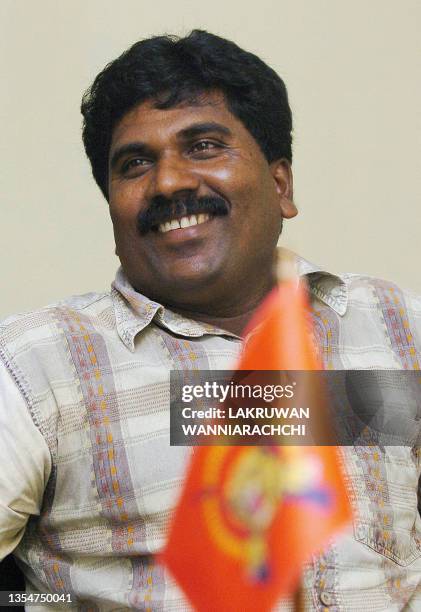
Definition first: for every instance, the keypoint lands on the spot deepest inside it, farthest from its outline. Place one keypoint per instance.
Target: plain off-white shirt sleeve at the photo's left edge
(25, 464)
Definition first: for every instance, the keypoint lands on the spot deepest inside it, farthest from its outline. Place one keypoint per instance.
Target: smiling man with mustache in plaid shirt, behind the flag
(190, 143)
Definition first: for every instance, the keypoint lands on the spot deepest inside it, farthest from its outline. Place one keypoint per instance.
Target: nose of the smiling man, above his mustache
(172, 176)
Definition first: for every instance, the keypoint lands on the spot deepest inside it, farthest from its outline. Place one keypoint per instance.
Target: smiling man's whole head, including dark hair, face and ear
(192, 174)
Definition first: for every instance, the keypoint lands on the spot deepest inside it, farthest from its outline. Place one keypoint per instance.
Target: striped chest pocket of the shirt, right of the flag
(385, 483)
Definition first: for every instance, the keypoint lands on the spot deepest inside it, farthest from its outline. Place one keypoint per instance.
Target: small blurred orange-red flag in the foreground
(250, 516)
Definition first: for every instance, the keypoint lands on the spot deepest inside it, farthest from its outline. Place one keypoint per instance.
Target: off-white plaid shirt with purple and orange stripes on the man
(88, 478)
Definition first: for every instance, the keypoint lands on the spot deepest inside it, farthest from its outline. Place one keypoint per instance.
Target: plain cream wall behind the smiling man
(353, 74)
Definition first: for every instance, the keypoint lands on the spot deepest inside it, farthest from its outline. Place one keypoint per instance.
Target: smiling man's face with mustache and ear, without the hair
(165, 165)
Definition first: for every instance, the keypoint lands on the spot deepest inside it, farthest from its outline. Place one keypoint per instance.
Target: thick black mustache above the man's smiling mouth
(162, 209)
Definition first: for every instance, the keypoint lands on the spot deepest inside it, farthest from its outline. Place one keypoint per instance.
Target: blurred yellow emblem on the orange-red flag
(242, 489)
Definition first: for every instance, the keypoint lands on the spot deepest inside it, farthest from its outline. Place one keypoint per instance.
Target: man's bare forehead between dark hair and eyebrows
(147, 123)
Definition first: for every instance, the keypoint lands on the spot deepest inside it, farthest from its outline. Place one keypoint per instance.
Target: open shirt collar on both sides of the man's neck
(134, 311)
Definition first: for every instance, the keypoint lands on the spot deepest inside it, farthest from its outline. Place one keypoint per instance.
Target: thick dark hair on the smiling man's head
(173, 70)
